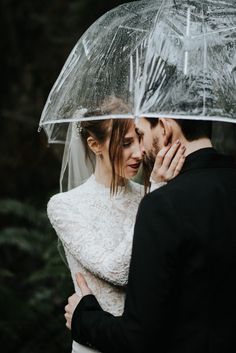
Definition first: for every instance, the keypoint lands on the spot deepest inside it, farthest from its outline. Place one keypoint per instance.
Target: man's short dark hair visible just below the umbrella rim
(192, 129)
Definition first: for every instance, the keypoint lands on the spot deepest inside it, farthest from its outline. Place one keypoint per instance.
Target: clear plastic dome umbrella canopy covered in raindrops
(163, 58)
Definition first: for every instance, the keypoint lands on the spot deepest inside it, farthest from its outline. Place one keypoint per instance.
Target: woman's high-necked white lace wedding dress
(96, 230)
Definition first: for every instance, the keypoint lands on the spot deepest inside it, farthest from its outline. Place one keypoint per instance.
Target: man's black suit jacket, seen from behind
(181, 295)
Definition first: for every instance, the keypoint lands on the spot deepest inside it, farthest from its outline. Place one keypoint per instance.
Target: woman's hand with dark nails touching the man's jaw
(169, 162)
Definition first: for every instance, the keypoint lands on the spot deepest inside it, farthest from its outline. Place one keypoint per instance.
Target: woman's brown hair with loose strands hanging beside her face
(112, 128)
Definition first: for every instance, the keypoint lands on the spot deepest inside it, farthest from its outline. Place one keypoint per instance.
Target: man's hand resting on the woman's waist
(74, 300)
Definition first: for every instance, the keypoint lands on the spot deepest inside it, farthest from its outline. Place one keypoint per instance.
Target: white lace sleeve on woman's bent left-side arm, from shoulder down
(110, 264)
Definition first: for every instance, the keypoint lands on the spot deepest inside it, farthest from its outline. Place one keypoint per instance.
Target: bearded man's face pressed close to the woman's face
(151, 140)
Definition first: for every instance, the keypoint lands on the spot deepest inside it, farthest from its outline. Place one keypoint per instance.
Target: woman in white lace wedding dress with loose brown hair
(95, 220)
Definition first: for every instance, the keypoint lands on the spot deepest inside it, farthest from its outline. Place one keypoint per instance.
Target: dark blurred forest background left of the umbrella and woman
(37, 37)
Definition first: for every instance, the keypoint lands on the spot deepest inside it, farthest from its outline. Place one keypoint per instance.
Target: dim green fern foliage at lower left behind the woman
(35, 283)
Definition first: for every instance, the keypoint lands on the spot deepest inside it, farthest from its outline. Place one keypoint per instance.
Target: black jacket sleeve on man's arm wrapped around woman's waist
(153, 274)
